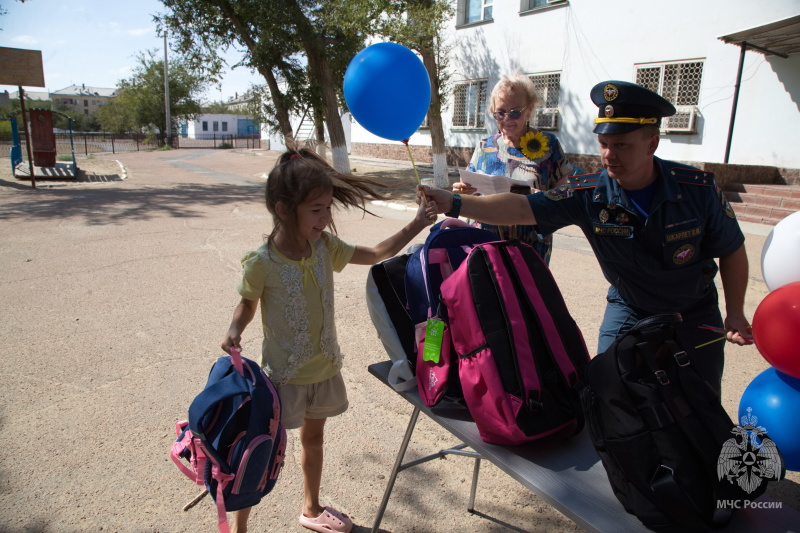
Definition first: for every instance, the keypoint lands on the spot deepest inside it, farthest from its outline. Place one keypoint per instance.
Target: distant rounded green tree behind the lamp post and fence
(139, 104)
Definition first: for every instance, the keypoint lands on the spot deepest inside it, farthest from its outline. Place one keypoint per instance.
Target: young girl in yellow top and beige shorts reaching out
(292, 276)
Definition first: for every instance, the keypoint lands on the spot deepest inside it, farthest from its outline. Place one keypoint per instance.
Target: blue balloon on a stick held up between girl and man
(387, 90)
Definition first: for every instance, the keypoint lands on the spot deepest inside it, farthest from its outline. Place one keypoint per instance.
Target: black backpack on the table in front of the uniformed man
(660, 431)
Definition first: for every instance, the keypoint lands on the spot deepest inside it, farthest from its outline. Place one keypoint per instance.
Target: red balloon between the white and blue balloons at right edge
(776, 326)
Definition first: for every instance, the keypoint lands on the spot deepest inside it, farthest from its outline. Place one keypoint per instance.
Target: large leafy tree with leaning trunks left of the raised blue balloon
(289, 42)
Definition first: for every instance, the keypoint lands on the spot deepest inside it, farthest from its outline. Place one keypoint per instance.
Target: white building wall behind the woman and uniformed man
(590, 41)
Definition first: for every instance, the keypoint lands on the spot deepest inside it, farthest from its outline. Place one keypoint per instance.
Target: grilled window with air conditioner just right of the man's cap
(679, 83)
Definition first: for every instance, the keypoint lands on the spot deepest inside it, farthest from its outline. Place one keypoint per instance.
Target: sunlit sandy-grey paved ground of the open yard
(116, 292)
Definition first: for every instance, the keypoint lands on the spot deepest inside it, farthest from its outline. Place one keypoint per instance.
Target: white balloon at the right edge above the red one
(780, 257)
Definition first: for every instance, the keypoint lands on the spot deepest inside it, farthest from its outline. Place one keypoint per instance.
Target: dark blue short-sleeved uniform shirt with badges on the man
(664, 263)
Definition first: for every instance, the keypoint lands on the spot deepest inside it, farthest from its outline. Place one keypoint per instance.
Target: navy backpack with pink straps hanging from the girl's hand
(234, 441)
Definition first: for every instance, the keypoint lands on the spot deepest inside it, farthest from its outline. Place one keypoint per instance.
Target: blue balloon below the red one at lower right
(774, 398)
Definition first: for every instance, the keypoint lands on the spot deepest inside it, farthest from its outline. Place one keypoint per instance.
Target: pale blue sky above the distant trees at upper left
(95, 42)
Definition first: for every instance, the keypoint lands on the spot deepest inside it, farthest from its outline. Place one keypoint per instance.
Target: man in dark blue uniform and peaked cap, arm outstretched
(655, 227)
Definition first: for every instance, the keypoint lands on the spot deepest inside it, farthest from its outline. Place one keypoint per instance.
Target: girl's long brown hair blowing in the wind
(300, 174)
